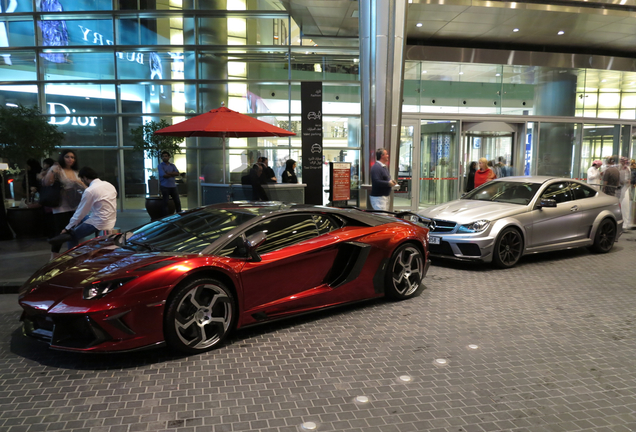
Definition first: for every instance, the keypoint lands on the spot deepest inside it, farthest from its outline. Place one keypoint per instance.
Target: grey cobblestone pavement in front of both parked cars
(555, 352)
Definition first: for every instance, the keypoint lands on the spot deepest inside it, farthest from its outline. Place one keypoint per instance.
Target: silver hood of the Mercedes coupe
(466, 211)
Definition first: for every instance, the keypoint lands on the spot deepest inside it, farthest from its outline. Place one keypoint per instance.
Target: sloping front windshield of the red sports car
(189, 232)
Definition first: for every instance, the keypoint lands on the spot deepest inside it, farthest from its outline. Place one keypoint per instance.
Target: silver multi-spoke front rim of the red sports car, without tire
(203, 316)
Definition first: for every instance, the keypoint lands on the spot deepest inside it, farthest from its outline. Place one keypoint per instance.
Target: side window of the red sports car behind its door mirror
(285, 231)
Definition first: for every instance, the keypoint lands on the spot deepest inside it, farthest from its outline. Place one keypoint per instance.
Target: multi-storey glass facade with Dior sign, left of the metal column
(99, 68)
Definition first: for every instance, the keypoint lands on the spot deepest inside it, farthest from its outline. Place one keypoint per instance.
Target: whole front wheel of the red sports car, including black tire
(199, 315)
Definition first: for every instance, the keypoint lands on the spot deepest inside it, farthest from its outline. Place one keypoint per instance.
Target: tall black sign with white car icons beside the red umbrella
(311, 101)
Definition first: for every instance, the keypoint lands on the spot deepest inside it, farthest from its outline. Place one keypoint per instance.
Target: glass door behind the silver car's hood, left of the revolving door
(439, 163)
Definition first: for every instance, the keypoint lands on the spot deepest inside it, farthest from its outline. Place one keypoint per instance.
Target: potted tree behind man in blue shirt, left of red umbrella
(145, 140)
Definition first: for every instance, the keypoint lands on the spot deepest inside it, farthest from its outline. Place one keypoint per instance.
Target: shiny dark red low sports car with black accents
(189, 279)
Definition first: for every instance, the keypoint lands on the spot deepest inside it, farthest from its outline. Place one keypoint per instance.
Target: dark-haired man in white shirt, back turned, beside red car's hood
(97, 210)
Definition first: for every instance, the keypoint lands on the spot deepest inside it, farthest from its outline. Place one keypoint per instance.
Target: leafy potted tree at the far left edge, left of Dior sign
(24, 133)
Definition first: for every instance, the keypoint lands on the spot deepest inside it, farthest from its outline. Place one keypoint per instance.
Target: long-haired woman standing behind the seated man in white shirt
(64, 174)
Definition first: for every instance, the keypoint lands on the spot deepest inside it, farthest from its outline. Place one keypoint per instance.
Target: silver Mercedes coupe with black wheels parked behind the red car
(504, 219)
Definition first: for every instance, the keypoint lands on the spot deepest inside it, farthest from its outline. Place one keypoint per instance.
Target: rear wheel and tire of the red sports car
(404, 273)
